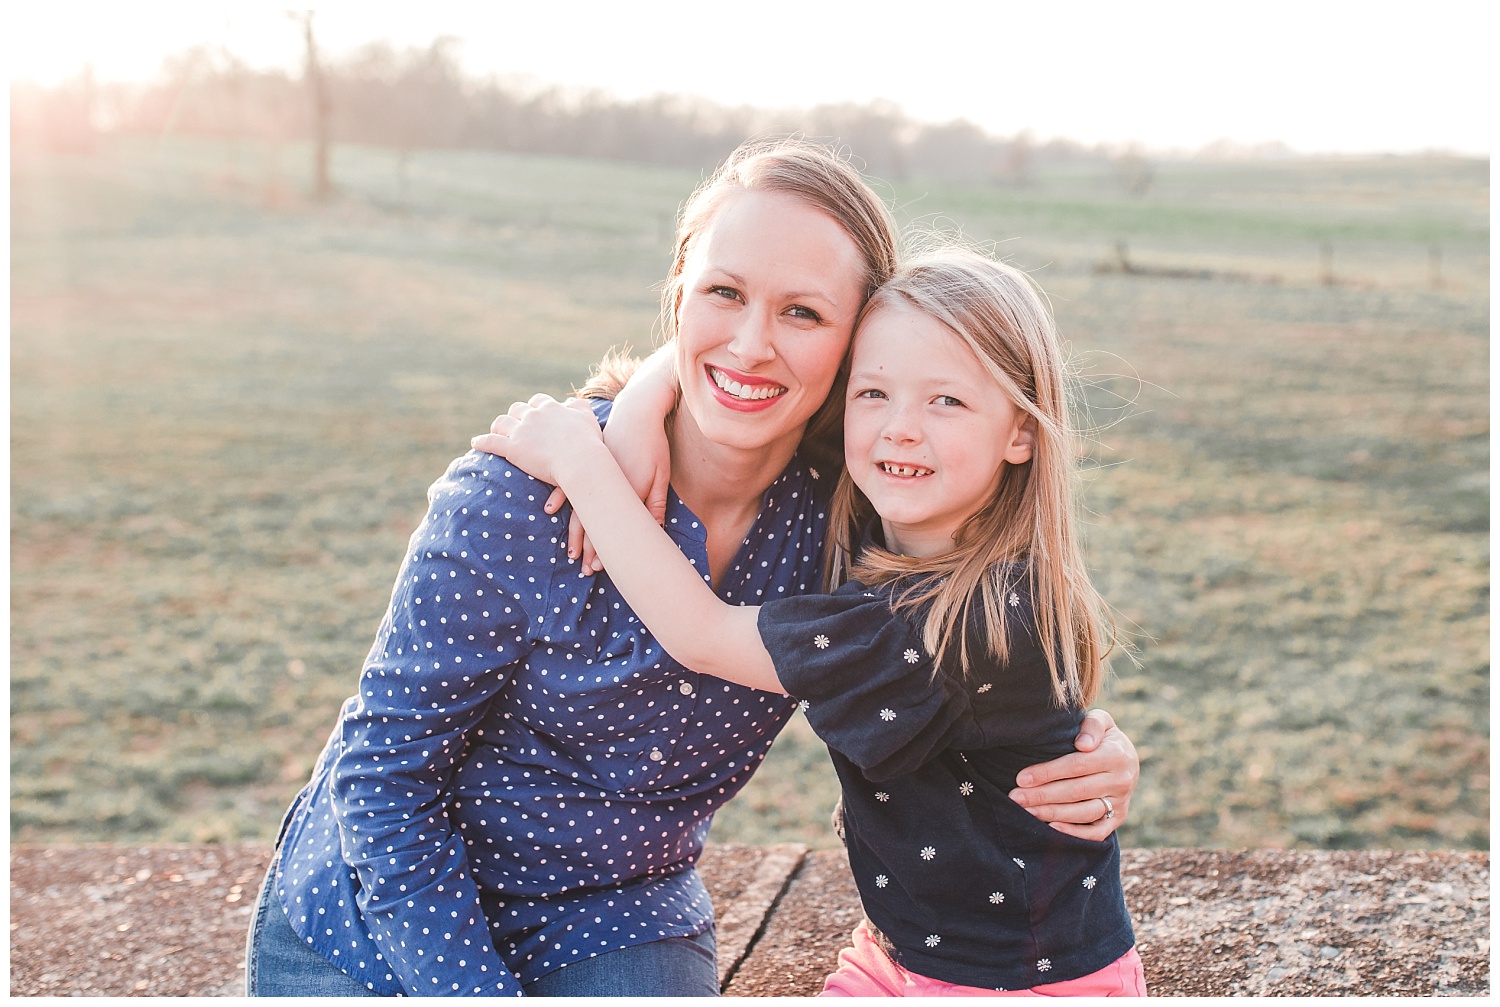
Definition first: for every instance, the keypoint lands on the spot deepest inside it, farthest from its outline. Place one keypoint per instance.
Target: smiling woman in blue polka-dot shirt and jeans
(517, 796)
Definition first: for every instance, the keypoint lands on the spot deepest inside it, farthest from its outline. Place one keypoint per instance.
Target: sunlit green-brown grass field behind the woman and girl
(227, 406)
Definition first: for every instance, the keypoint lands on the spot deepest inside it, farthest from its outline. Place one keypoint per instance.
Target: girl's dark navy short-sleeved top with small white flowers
(962, 885)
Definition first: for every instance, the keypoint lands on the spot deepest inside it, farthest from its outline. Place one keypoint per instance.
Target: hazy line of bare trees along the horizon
(419, 98)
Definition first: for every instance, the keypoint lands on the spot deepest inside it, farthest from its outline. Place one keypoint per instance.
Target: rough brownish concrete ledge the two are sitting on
(172, 921)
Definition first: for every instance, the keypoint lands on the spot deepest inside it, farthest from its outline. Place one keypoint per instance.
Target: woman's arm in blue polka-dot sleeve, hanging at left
(424, 690)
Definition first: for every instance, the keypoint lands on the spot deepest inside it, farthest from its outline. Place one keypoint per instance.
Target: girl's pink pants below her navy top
(865, 970)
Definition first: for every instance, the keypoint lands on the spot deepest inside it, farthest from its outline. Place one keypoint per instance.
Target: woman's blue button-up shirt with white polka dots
(526, 778)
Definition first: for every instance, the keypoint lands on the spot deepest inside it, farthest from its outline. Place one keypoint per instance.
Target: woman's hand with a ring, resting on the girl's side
(1085, 793)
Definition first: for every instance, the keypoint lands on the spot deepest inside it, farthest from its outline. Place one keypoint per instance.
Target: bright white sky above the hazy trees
(1319, 76)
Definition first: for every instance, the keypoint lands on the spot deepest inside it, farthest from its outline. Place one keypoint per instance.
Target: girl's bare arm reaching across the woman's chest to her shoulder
(565, 448)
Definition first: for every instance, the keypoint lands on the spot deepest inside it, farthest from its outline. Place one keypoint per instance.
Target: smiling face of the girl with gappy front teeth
(926, 428)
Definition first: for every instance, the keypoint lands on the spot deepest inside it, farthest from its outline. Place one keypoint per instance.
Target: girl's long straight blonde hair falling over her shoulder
(1028, 526)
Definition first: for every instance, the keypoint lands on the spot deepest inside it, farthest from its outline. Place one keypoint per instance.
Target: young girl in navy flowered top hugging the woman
(961, 645)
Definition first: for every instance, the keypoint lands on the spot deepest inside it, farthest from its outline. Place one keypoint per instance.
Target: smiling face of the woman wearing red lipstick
(770, 293)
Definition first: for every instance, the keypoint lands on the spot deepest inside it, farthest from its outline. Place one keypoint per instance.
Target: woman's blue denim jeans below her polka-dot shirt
(280, 964)
